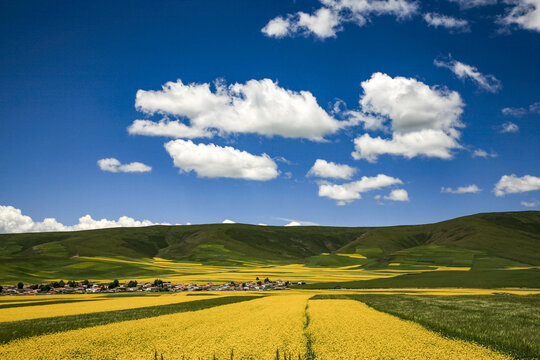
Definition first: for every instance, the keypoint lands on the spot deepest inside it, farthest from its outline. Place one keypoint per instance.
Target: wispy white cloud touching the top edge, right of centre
(326, 21)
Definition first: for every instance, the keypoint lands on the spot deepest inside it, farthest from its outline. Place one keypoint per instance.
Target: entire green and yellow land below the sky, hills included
(464, 288)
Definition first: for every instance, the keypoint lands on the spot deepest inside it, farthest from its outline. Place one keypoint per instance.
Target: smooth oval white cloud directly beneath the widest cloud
(214, 161)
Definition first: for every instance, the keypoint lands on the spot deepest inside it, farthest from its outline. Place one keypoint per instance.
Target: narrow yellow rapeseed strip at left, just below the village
(121, 303)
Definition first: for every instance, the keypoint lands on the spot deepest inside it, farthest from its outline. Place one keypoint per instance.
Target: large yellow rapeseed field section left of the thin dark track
(253, 329)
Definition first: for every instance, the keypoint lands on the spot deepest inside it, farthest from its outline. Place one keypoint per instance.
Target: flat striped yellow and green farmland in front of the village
(305, 324)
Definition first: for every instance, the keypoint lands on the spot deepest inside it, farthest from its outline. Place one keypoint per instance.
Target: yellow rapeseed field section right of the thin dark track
(348, 329)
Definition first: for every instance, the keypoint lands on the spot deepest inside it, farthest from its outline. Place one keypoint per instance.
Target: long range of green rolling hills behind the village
(487, 241)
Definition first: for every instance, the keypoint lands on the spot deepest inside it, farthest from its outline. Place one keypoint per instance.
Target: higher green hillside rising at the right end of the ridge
(511, 235)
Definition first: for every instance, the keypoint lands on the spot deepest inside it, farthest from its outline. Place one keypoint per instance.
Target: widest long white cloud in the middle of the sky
(257, 107)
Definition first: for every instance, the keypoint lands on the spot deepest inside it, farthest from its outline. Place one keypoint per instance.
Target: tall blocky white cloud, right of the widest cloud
(424, 120)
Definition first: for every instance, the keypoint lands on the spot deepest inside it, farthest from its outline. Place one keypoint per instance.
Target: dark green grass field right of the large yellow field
(507, 323)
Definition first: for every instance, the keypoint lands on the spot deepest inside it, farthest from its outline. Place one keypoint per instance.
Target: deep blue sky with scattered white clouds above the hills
(450, 98)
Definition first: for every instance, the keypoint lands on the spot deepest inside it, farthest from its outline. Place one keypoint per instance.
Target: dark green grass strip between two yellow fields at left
(27, 328)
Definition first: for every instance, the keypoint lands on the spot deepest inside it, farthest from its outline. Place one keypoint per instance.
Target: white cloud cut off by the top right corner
(524, 14)
